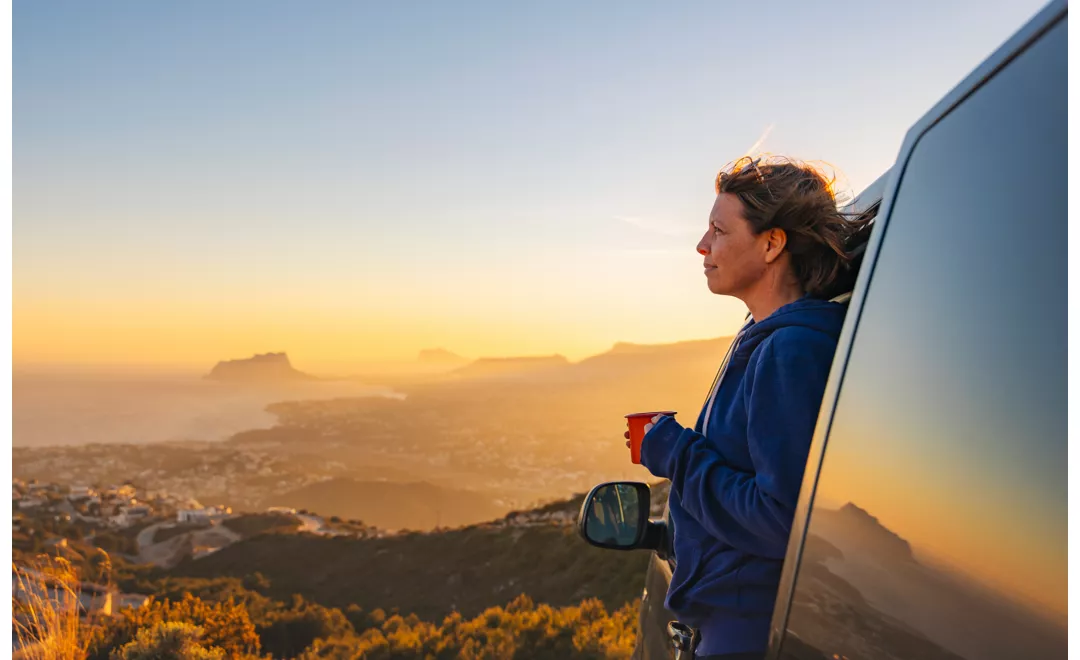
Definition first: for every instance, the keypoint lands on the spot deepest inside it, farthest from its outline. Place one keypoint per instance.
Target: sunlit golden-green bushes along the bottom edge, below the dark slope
(231, 629)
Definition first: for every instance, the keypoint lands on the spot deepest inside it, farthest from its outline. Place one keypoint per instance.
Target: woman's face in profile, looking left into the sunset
(735, 258)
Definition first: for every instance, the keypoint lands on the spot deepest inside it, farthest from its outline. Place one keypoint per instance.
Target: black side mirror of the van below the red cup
(616, 516)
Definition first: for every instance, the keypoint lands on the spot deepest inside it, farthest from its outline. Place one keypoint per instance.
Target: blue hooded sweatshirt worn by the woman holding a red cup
(735, 484)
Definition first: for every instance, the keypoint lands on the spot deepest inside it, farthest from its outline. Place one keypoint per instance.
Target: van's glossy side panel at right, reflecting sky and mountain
(939, 509)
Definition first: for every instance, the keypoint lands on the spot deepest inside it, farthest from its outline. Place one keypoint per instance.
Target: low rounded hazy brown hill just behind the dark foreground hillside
(391, 506)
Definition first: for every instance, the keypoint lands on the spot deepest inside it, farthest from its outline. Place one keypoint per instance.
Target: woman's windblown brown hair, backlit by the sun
(786, 194)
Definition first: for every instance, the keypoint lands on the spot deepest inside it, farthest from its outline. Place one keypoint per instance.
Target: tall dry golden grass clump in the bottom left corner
(49, 622)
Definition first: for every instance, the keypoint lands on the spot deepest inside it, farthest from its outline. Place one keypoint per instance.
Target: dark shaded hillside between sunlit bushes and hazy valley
(435, 574)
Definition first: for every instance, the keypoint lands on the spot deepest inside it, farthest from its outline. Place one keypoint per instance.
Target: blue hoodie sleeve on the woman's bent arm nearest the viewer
(784, 388)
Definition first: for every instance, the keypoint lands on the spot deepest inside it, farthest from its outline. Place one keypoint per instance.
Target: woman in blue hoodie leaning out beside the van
(776, 241)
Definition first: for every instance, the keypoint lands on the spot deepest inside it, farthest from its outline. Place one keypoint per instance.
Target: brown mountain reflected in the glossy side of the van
(855, 564)
